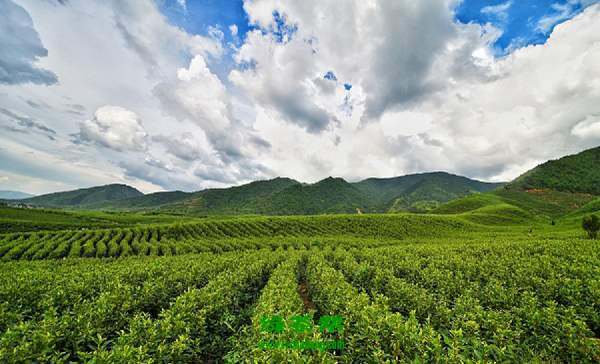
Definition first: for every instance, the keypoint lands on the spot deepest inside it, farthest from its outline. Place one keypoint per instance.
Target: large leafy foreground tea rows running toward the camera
(446, 302)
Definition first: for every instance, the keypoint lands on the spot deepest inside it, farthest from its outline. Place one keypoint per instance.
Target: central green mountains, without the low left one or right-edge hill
(284, 196)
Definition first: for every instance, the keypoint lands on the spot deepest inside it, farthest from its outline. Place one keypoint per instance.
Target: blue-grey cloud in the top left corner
(21, 48)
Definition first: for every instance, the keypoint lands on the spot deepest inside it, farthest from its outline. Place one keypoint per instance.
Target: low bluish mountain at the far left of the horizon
(84, 196)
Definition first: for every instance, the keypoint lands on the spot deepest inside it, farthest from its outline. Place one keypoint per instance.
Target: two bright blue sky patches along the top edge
(523, 22)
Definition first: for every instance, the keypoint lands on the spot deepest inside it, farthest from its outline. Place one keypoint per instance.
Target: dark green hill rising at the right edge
(574, 173)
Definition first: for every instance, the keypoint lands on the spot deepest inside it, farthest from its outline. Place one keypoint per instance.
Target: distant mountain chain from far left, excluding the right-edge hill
(279, 196)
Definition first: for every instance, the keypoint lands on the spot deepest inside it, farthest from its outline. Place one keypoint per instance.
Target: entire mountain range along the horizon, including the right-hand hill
(573, 179)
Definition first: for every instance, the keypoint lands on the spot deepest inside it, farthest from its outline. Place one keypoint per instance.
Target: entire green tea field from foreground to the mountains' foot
(343, 288)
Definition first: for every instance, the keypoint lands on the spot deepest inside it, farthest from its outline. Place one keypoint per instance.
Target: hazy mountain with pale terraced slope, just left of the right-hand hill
(420, 192)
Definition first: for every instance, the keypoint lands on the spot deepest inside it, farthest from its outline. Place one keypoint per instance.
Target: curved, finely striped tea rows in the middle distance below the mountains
(214, 236)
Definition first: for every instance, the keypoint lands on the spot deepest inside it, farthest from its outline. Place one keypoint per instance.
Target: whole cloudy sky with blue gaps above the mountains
(188, 95)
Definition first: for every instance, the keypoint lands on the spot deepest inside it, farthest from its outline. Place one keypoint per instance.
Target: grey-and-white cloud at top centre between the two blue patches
(394, 53)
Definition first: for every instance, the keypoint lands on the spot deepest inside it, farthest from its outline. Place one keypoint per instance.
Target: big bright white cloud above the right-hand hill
(546, 97)
